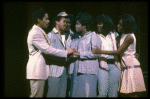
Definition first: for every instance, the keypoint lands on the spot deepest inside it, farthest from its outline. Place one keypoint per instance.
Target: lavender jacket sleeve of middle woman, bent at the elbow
(95, 41)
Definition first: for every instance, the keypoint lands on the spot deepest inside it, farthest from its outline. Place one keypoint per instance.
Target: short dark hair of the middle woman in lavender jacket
(85, 19)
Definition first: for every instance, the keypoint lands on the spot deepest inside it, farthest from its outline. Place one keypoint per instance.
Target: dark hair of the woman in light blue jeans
(108, 24)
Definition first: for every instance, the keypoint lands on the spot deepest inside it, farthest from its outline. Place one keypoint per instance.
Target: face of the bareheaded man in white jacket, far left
(45, 22)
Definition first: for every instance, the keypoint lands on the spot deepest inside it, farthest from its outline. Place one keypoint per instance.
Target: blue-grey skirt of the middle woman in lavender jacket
(83, 85)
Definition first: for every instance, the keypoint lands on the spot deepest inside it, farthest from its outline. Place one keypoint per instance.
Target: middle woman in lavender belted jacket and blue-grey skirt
(85, 68)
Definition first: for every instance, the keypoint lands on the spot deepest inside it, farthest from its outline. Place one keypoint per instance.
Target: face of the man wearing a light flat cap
(62, 24)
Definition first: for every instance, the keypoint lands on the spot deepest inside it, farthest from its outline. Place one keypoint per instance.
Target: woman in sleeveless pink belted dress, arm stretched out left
(131, 82)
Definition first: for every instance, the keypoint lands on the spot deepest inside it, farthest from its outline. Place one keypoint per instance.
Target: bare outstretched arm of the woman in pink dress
(128, 40)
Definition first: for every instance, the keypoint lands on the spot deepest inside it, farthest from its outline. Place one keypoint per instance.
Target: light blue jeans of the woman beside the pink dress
(108, 81)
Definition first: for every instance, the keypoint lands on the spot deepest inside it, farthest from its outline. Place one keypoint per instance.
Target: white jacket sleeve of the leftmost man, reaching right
(40, 43)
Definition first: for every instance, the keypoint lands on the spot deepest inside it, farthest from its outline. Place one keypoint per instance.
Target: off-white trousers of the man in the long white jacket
(37, 88)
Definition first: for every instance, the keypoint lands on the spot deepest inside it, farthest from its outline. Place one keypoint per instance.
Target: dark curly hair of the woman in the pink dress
(128, 24)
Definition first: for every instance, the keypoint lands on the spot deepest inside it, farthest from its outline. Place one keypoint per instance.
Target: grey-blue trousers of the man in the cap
(57, 86)
